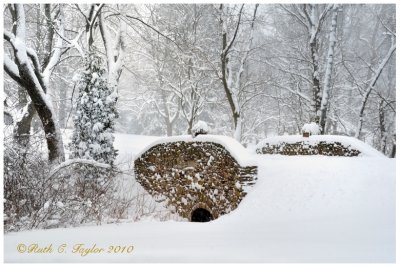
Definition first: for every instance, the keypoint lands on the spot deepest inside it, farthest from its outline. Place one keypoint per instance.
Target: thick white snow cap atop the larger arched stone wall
(237, 151)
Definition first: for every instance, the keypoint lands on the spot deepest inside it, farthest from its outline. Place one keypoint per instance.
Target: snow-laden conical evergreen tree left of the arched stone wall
(95, 114)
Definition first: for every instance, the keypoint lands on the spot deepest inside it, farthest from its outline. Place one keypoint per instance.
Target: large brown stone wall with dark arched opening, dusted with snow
(196, 176)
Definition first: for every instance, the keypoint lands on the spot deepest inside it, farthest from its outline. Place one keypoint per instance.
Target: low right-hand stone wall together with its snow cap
(328, 145)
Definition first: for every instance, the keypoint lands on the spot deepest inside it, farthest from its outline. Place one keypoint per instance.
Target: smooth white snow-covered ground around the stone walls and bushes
(302, 209)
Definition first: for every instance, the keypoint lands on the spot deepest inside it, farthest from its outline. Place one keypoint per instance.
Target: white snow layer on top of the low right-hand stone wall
(350, 142)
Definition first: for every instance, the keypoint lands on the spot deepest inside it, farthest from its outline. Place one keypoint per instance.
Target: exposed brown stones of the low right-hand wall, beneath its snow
(305, 148)
